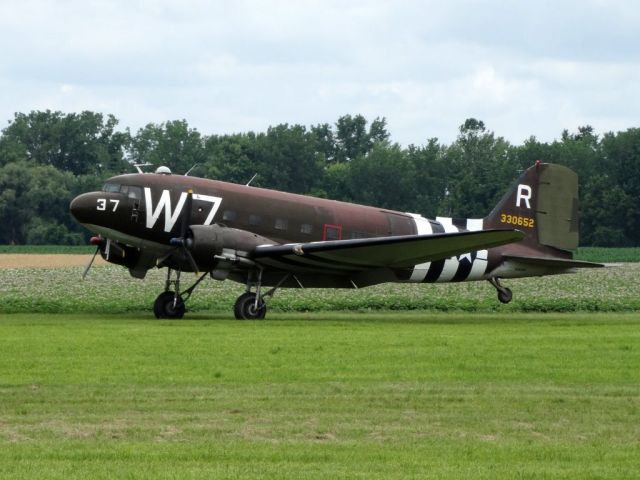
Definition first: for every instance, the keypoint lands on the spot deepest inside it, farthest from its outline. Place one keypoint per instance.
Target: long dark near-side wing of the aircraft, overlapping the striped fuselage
(394, 252)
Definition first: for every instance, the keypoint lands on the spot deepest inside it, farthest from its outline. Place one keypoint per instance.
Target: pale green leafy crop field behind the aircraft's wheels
(110, 289)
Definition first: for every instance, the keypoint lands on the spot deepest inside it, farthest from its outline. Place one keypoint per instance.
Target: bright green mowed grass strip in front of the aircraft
(320, 396)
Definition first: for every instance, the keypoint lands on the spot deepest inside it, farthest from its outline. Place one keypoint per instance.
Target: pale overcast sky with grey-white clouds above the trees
(523, 67)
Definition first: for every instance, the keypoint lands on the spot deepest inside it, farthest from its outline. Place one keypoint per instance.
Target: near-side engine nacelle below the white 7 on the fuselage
(206, 242)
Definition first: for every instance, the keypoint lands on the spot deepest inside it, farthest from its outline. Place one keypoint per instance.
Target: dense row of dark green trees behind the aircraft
(46, 158)
